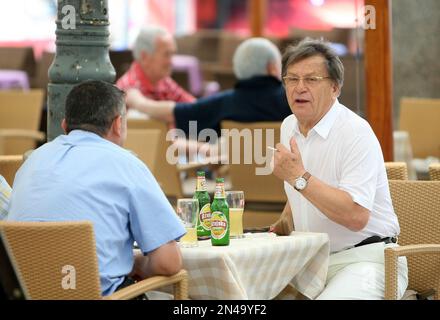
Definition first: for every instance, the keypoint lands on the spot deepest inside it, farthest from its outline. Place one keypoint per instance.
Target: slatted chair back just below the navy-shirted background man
(258, 188)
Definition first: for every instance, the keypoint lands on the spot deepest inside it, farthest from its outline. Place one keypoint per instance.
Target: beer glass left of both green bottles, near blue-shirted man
(187, 210)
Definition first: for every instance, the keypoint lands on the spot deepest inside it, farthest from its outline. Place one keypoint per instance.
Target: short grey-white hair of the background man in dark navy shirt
(252, 57)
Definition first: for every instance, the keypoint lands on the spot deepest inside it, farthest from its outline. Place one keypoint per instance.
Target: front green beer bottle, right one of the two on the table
(220, 216)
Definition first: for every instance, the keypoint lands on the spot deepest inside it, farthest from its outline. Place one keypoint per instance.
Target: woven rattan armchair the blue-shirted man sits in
(47, 255)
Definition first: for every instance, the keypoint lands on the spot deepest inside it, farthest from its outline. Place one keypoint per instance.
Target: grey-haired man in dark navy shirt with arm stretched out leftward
(257, 96)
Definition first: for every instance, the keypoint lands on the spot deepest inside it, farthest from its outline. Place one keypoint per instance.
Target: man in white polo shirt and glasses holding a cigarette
(334, 175)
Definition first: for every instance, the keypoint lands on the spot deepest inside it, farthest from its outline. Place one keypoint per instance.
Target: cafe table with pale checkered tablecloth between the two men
(258, 266)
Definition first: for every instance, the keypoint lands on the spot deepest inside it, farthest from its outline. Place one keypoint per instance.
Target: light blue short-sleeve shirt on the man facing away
(81, 176)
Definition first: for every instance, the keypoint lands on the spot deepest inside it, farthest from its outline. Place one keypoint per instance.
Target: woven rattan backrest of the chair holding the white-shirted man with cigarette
(417, 205)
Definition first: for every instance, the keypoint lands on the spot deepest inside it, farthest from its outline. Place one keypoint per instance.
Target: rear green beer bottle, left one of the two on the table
(204, 217)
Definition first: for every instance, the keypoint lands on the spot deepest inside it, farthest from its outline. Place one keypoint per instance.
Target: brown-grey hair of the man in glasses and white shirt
(312, 47)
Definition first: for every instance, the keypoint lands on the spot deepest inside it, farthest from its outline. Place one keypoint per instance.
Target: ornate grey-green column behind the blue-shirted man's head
(82, 53)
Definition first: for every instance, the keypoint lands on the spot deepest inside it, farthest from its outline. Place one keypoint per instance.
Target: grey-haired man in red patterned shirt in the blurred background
(151, 70)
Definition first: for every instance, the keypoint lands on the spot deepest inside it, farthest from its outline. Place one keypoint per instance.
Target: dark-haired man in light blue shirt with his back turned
(87, 175)
